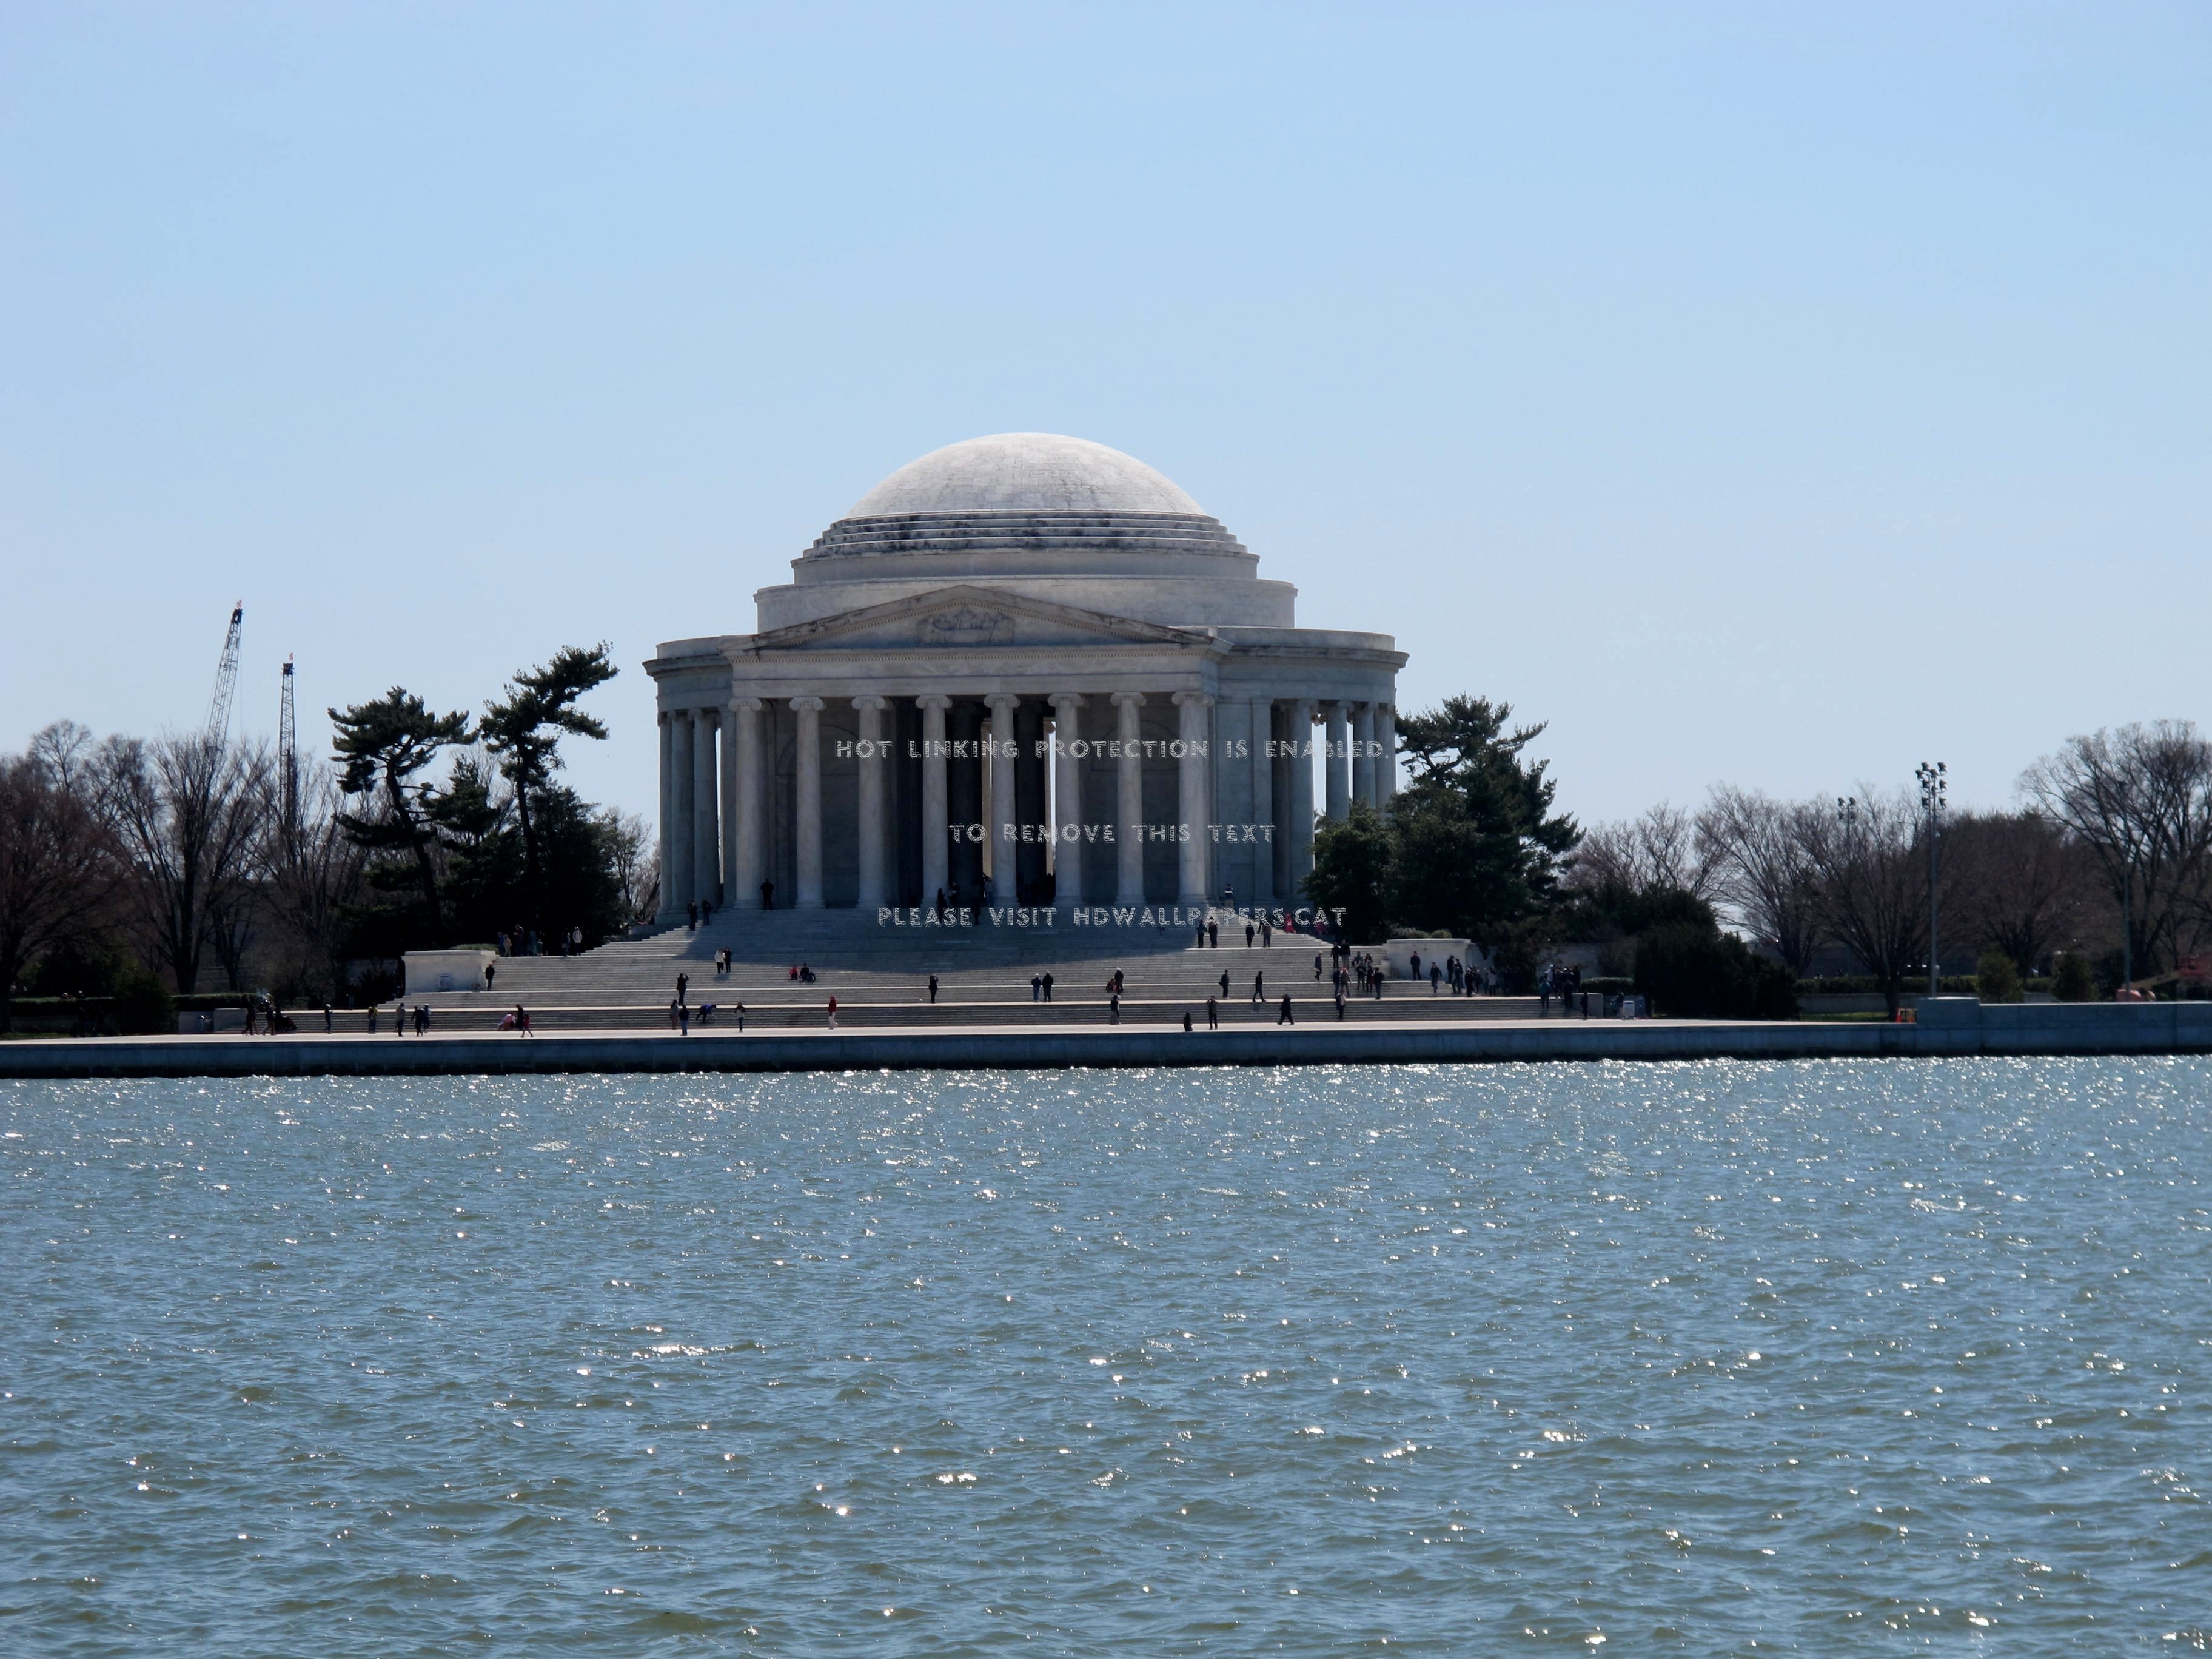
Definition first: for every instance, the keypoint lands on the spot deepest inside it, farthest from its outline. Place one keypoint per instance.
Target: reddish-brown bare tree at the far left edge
(56, 866)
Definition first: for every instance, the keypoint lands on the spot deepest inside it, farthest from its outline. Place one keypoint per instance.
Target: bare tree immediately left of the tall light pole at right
(1875, 888)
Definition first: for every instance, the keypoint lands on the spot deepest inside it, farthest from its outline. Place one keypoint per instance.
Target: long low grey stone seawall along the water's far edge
(1948, 1027)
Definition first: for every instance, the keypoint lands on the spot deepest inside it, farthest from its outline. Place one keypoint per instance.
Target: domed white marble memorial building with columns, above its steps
(1021, 671)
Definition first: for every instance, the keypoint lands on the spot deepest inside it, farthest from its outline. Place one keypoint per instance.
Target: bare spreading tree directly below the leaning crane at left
(189, 815)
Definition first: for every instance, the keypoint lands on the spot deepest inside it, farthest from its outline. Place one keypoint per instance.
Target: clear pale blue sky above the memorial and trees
(1775, 395)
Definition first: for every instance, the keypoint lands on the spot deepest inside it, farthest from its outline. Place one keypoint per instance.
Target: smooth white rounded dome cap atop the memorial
(1025, 472)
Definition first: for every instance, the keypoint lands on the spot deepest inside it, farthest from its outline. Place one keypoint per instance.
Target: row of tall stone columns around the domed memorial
(716, 811)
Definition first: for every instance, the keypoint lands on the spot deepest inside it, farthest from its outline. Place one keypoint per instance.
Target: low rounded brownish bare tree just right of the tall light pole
(2023, 886)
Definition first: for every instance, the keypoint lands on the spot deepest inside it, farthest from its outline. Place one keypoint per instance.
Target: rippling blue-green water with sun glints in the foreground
(1691, 1359)
